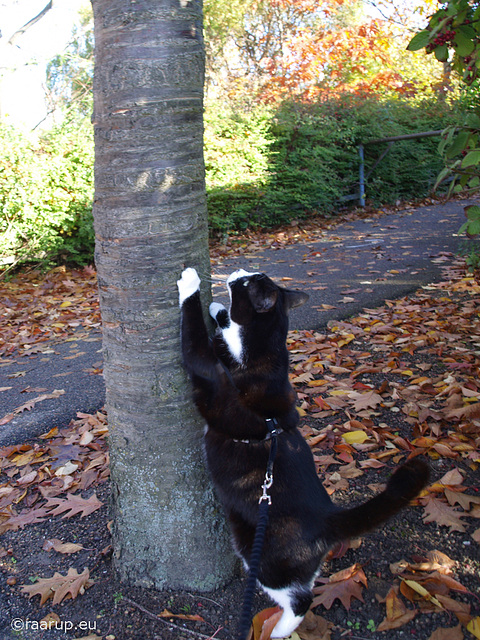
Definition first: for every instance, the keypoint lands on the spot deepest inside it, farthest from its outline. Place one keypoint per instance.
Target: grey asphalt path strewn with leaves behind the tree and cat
(353, 266)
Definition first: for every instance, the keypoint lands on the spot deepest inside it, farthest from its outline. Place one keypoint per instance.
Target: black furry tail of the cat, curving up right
(404, 485)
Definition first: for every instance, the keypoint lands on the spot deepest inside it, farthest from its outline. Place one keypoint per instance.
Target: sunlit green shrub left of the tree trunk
(46, 191)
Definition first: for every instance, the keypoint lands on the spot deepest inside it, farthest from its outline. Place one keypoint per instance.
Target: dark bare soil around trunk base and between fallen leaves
(109, 610)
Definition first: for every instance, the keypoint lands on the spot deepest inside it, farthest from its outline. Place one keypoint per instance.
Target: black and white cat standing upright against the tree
(240, 380)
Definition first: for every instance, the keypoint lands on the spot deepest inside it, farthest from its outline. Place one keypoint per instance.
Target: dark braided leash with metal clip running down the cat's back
(255, 556)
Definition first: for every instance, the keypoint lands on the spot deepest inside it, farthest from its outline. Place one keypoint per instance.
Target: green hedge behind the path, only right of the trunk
(303, 159)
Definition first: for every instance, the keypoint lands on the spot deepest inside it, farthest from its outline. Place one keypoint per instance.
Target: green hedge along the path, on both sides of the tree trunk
(264, 167)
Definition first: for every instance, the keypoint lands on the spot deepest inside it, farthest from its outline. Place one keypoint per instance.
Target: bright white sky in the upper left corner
(23, 63)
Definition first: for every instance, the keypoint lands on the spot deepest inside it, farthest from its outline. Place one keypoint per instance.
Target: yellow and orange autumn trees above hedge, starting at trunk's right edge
(276, 49)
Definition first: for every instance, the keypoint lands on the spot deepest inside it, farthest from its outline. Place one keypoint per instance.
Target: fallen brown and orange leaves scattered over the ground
(392, 383)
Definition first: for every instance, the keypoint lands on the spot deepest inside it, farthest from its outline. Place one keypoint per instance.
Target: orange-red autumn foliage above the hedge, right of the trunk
(297, 48)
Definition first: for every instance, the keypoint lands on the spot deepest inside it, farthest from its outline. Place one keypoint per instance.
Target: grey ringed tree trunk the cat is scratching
(150, 221)
